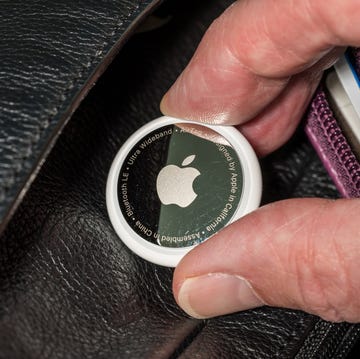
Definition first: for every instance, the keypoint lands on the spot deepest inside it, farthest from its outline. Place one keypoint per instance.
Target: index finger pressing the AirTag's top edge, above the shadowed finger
(247, 57)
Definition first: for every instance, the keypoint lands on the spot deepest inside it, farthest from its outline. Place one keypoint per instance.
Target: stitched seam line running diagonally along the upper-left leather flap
(45, 124)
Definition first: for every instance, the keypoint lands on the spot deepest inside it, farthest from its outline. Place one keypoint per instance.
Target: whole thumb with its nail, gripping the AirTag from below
(300, 254)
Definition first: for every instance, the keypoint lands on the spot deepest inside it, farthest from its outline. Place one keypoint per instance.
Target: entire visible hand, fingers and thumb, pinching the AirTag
(257, 68)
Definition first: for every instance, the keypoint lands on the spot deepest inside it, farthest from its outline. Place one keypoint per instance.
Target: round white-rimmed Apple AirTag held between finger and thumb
(175, 183)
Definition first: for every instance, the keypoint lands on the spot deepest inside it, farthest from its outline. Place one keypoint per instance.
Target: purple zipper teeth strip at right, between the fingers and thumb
(337, 140)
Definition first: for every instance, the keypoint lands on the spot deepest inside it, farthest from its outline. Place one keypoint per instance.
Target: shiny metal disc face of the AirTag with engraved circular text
(179, 185)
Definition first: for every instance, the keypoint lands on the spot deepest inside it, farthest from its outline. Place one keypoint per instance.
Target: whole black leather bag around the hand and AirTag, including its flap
(68, 286)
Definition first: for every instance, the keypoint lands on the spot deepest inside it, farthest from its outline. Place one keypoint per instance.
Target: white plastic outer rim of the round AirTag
(168, 256)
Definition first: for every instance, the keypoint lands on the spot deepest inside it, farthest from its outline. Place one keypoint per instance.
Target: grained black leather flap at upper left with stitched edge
(50, 55)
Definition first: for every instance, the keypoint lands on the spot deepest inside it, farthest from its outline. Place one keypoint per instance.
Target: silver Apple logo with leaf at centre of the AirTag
(174, 184)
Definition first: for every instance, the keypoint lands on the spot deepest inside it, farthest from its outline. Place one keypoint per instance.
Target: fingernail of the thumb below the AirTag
(216, 294)
